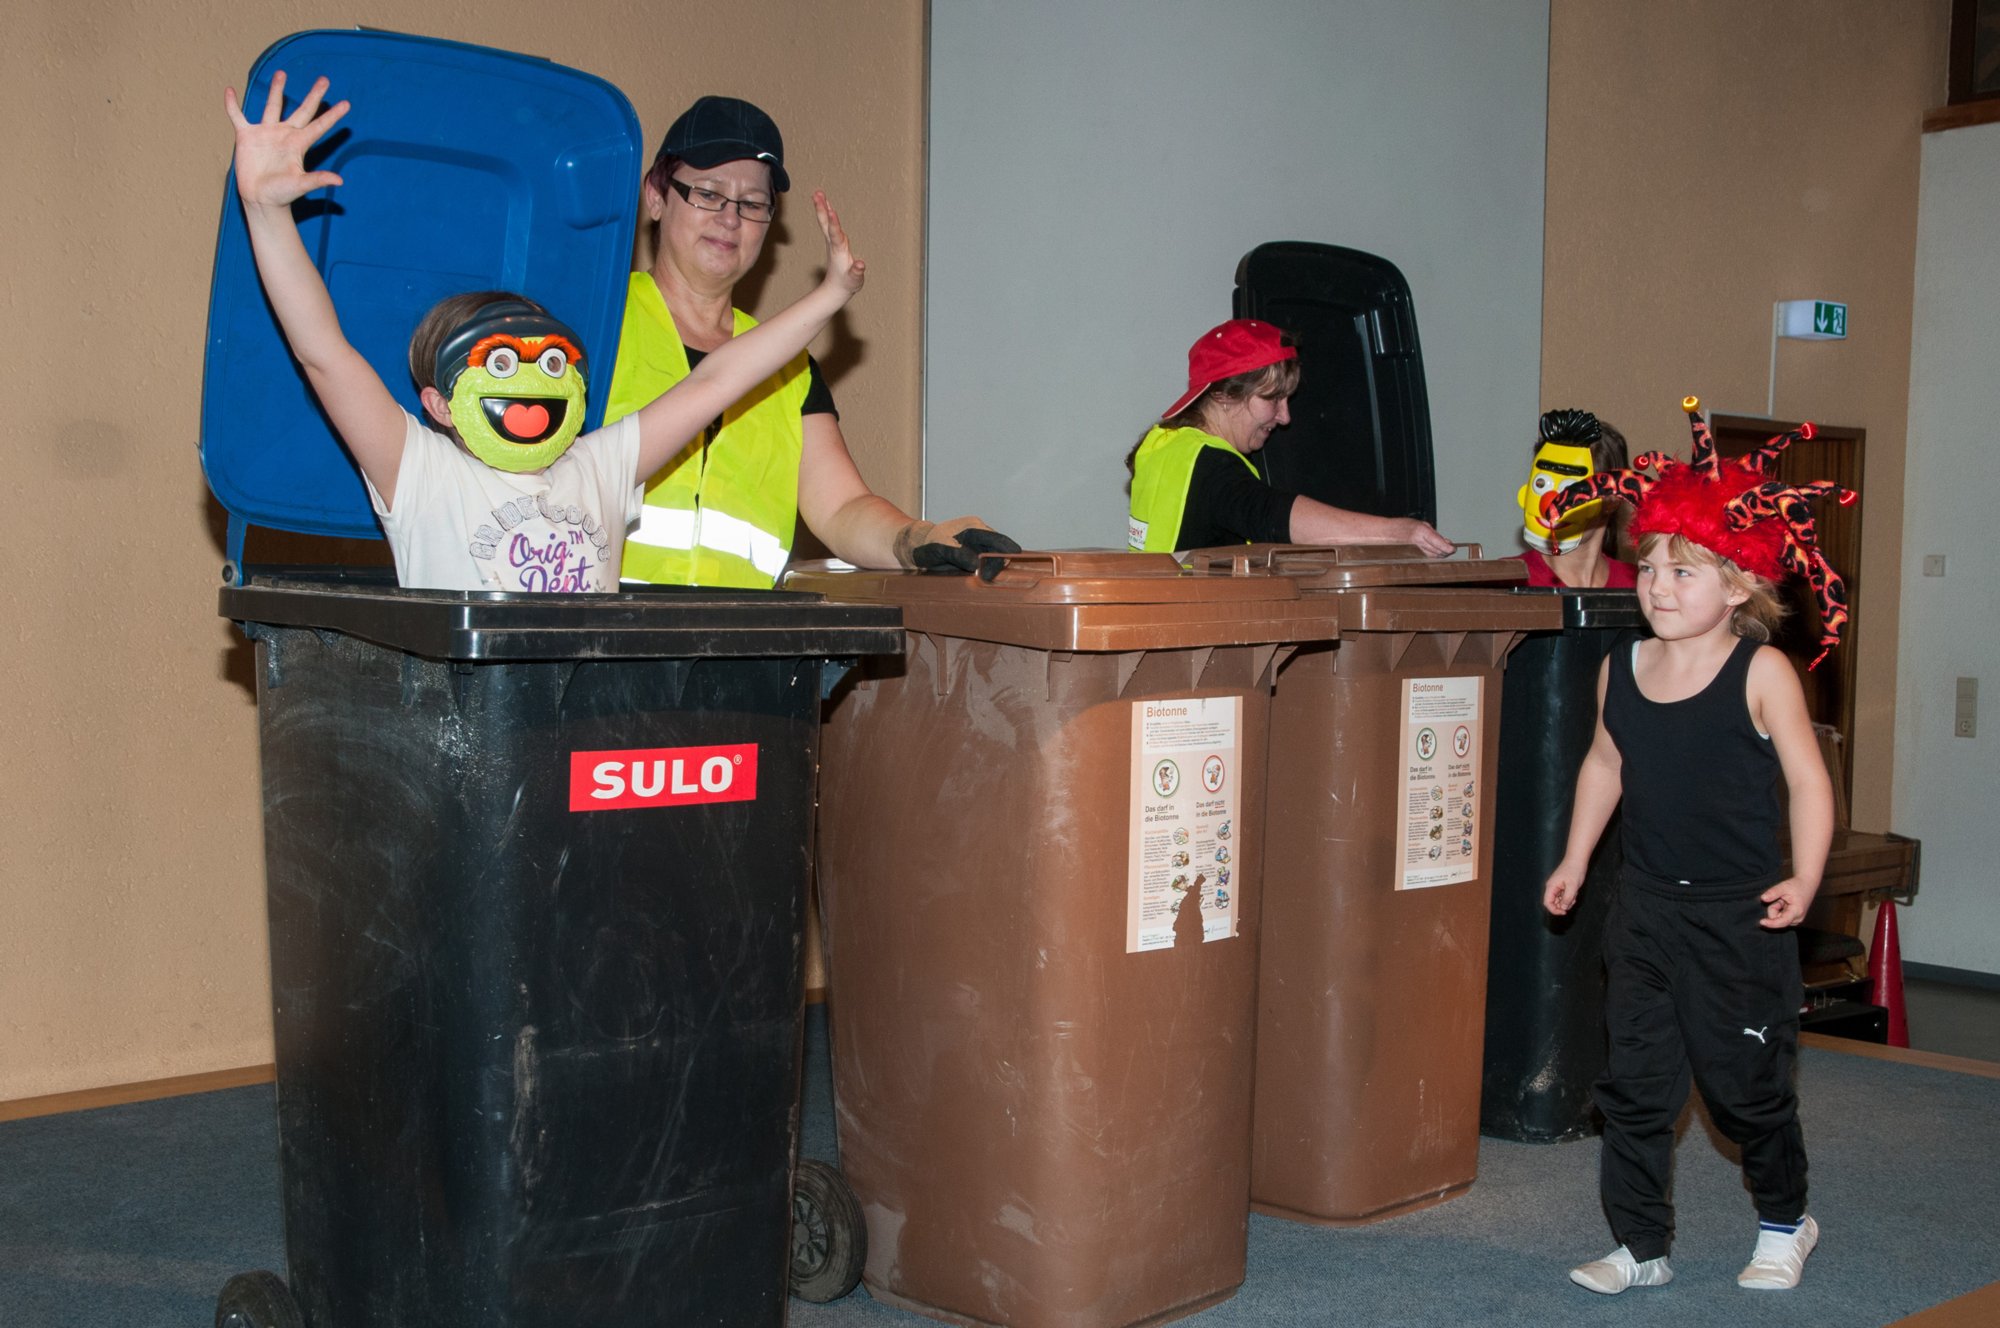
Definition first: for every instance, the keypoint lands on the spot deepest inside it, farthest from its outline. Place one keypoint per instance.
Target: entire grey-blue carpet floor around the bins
(137, 1215)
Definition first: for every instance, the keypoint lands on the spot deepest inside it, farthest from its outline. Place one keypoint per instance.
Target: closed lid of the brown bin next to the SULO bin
(1087, 601)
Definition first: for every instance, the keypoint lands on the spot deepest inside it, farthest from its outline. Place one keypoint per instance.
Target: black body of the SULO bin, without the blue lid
(537, 881)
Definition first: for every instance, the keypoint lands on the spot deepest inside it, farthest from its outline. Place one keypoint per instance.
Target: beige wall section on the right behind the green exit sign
(1707, 159)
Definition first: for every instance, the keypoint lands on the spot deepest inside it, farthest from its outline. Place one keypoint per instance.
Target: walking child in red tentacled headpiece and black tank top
(1695, 725)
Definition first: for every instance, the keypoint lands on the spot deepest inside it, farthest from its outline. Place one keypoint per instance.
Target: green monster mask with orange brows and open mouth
(515, 379)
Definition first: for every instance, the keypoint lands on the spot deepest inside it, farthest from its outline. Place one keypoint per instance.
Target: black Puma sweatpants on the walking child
(1697, 987)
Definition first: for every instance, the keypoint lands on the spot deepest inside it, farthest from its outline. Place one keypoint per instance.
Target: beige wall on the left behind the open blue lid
(133, 885)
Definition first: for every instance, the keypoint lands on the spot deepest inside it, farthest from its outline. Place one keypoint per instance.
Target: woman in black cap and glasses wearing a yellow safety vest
(723, 513)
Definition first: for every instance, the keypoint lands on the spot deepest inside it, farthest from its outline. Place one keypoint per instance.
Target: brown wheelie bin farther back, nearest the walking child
(1377, 879)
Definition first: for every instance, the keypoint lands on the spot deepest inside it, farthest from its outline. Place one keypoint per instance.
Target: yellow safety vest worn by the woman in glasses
(723, 511)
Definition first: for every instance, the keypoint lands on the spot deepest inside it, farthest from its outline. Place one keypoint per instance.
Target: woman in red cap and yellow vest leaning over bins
(1195, 483)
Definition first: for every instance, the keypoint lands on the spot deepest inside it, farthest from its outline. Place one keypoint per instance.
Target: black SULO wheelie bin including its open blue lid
(535, 863)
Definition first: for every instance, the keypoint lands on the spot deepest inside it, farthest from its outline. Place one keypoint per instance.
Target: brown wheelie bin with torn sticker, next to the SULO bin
(1041, 909)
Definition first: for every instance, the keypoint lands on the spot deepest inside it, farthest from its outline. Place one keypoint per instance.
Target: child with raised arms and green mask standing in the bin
(495, 491)
